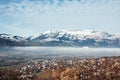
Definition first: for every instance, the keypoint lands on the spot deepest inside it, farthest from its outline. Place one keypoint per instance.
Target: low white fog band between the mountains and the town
(62, 51)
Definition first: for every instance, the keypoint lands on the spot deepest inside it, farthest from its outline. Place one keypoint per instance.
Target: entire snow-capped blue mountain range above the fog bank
(71, 38)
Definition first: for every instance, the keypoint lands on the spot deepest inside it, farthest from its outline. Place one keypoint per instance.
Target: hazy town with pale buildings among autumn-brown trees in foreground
(65, 68)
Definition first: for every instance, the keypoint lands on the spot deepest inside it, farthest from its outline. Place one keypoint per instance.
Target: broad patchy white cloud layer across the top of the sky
(29, 8)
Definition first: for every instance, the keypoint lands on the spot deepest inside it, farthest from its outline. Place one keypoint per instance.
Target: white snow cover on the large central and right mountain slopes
(76, 34)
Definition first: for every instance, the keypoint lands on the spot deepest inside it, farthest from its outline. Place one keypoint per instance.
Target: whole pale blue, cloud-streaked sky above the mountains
(29, 17)
